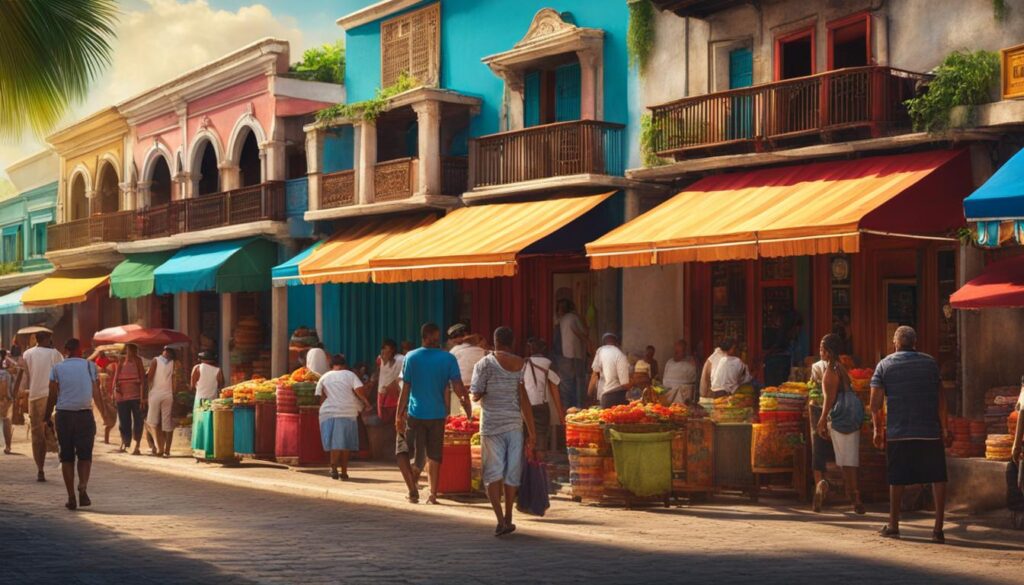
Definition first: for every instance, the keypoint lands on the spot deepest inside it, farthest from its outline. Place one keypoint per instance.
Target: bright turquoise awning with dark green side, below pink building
(235, 266)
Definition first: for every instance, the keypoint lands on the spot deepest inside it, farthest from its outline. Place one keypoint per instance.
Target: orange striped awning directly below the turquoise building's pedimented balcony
(479, 242)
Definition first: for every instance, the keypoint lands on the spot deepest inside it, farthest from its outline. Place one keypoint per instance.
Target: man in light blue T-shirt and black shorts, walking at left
(73, 384)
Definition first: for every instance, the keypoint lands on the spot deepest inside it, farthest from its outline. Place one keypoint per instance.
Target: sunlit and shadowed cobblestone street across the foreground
(178, 522)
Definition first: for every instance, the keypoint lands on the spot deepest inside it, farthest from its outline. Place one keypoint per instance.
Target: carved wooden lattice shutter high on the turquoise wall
(411, 44)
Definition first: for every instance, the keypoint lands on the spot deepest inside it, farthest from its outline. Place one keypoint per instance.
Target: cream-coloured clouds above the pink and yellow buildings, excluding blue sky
(161, 39)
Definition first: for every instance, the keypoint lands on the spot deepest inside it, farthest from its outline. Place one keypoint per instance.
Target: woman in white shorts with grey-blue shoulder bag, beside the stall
(842, 412)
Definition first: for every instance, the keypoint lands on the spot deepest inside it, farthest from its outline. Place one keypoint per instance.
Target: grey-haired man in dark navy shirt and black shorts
(907, 384)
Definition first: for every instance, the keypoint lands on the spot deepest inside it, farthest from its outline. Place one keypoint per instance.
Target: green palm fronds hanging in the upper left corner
(51, 52)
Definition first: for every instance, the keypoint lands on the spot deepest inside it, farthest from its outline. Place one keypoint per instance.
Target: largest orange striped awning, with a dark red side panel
(819, 208)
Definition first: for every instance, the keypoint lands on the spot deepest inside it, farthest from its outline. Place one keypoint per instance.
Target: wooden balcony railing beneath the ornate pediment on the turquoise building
(553, 150)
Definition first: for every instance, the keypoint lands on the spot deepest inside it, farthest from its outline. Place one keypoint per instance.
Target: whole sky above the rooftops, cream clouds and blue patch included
(160, 39)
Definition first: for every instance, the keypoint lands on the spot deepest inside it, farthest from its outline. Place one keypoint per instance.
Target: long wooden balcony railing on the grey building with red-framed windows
(865, 99)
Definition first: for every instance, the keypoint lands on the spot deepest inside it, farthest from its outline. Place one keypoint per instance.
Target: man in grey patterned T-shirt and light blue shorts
(499, 388)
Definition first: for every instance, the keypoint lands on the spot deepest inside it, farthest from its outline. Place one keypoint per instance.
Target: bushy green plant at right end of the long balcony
(964, 79)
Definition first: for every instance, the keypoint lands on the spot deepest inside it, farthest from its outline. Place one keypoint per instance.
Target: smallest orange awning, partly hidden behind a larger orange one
(346, 258)
